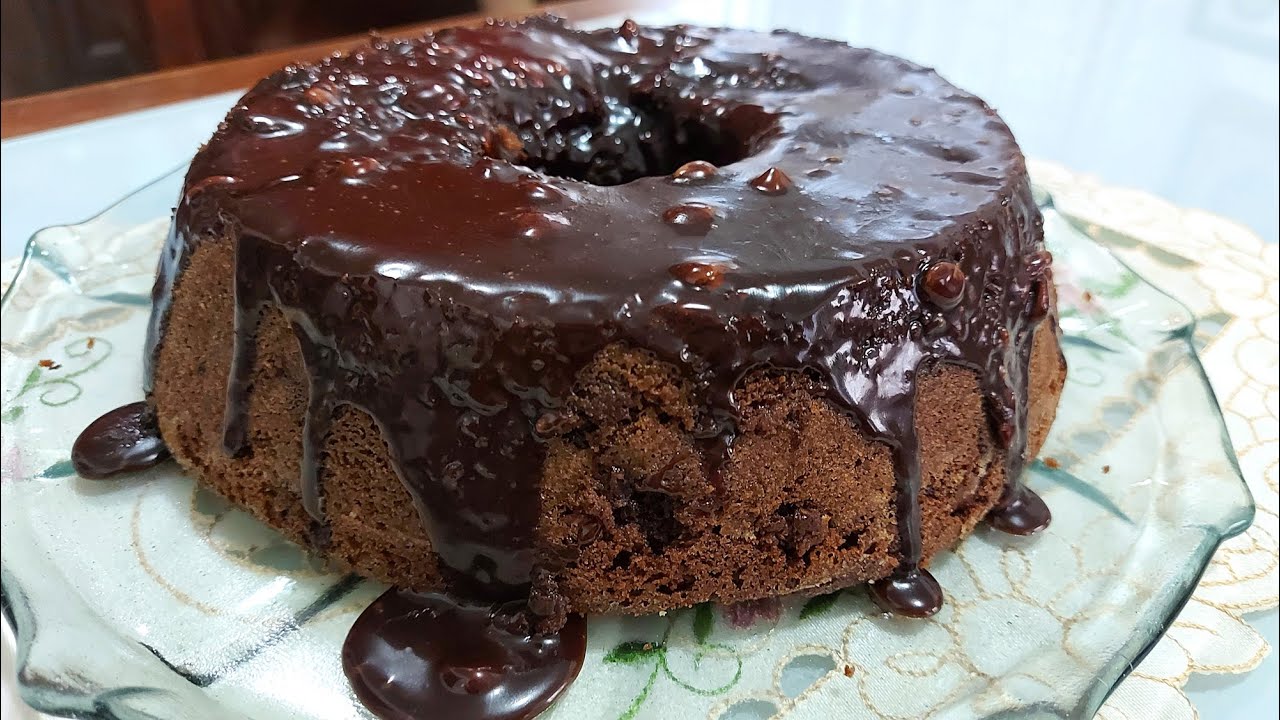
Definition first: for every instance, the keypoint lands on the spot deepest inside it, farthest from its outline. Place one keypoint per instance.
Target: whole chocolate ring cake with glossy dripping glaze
(616, 321)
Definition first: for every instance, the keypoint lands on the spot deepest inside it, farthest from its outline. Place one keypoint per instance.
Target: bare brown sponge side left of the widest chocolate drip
(374, 527)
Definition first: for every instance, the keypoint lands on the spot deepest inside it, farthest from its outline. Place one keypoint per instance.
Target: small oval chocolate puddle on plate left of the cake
(122, 441)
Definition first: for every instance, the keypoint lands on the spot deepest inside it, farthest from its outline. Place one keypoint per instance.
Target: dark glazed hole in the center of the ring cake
(639, 136)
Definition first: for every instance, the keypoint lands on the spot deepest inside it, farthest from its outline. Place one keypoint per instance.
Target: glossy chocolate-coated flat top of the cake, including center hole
(542, 166)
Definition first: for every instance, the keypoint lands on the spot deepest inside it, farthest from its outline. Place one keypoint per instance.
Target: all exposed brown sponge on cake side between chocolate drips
(625, 512)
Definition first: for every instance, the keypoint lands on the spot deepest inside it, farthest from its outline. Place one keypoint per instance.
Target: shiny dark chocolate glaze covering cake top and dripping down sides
(456, 225)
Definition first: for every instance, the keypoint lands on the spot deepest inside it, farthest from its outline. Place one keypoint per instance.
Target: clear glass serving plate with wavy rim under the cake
(150, 598)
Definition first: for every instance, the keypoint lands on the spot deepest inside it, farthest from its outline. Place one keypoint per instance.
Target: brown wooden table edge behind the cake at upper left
(48, 111)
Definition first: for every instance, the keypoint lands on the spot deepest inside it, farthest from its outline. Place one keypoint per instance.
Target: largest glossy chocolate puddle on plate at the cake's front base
(418, 655)
